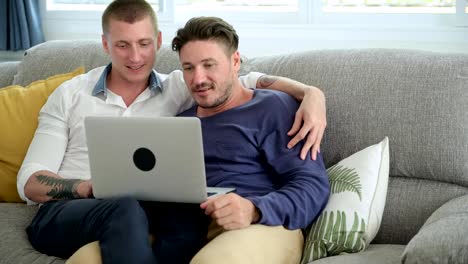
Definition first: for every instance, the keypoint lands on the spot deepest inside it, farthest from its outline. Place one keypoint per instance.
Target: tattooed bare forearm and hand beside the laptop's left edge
(43, 186)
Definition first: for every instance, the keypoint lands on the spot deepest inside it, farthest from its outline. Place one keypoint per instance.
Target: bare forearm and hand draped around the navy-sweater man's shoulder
(310, 120)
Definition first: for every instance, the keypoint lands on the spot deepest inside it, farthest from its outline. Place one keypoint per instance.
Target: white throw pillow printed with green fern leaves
(354, 210)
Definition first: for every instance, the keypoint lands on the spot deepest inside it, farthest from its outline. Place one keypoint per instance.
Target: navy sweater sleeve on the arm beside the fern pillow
(304, 186)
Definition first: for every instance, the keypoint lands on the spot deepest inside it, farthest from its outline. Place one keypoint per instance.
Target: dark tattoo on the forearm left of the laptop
(61, 188)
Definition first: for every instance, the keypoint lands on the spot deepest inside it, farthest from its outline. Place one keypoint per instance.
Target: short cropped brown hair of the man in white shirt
(129, 11)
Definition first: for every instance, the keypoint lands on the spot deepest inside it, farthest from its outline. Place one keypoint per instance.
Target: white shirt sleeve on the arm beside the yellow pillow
(49, 143)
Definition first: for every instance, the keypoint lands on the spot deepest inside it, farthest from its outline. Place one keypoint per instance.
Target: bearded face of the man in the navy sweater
(209, 72)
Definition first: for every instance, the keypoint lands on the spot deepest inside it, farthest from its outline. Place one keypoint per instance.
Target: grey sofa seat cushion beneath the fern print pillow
(375, 253)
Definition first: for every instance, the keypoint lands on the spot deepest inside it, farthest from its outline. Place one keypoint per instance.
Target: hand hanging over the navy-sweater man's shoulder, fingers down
(312, 116)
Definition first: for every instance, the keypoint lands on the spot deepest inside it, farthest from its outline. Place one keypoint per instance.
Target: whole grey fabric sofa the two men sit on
(418, 99)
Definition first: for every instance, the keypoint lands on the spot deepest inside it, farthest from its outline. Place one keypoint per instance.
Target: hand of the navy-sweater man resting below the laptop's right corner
(231, 211)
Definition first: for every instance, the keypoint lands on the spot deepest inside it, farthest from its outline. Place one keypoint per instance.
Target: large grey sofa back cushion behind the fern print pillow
(418, 99)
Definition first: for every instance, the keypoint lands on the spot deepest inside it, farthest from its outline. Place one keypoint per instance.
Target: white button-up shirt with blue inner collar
(59, 144)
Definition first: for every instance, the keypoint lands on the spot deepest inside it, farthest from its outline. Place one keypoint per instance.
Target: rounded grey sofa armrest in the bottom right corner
(444, 236)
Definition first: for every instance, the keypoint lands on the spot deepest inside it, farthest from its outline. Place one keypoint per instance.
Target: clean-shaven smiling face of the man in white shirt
(132, 48)
